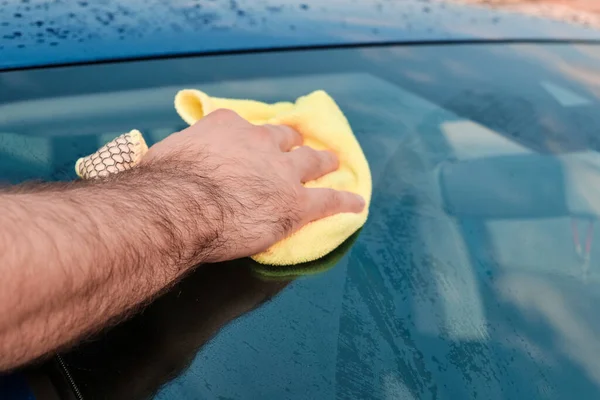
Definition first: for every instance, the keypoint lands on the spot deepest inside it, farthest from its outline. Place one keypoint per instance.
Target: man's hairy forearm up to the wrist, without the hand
(75, 256)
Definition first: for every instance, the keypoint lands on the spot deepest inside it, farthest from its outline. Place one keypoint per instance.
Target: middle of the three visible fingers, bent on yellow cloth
(311, 164)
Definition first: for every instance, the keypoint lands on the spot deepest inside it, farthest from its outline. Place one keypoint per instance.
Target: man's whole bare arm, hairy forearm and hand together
(75, 256)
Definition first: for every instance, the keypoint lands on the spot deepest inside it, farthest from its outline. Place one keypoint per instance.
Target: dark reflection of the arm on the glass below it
(135, 359)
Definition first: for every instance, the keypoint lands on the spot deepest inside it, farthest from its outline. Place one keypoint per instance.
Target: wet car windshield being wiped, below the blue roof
(475, 276)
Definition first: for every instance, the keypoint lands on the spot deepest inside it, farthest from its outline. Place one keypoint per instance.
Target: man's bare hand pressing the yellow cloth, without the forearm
(250, 179)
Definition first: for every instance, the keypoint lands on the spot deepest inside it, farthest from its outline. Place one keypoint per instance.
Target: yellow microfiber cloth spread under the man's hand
(324, 127)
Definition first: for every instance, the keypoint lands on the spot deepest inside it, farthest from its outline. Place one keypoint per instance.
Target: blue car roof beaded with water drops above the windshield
(49, 33)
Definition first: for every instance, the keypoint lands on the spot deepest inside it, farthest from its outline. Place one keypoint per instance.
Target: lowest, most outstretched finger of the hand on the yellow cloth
(323, 202)
